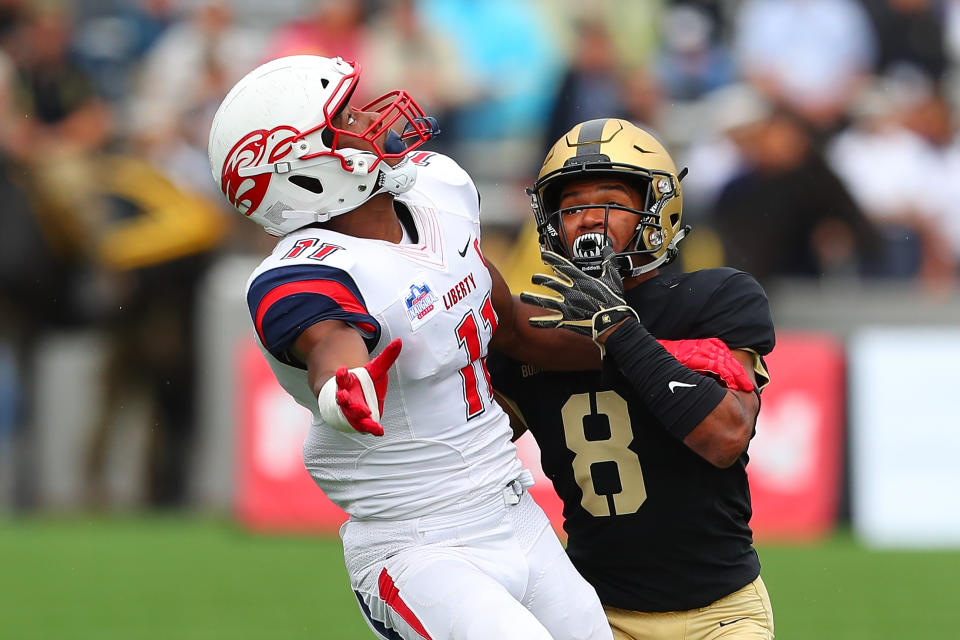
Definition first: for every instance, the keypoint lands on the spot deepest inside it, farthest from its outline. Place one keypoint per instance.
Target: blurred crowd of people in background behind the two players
(820, 137)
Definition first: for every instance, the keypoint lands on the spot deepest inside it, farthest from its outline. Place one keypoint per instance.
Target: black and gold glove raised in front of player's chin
(584, 304)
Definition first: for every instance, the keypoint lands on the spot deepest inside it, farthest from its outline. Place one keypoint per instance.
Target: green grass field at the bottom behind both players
(152, 578)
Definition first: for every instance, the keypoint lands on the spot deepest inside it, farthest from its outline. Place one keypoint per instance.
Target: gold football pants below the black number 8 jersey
(745, 614)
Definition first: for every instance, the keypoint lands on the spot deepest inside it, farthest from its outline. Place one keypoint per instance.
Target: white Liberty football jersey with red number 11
(446, 443)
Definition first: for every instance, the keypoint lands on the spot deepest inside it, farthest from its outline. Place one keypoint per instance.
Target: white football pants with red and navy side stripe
(496, 573)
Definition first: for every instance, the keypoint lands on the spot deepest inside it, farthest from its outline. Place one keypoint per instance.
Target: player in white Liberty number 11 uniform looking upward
(375, 312)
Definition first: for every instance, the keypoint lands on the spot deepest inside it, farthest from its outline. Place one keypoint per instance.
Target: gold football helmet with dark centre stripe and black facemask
(609, 146)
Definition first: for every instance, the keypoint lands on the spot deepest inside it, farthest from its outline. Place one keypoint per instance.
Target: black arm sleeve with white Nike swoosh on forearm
(676, 396)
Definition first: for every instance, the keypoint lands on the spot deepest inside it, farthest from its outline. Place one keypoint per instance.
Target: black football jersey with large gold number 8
(650, 524)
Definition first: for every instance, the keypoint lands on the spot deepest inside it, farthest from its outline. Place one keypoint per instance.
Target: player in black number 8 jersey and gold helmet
(648, 455)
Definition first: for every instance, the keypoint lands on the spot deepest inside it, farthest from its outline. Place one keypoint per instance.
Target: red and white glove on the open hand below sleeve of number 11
(360, 392)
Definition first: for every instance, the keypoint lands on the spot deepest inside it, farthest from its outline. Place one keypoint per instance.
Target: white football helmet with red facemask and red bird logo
(277, 157)
